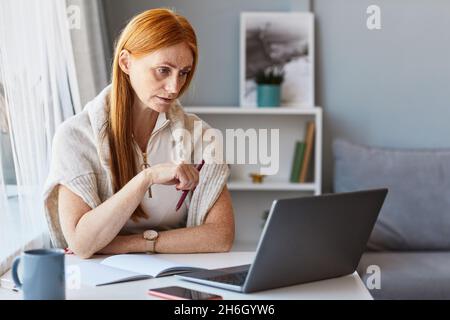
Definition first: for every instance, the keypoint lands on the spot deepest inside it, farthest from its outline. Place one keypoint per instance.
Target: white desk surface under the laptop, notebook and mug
(347, 287)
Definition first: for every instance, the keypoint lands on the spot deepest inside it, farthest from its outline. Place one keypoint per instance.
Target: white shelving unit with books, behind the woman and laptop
(249, 199)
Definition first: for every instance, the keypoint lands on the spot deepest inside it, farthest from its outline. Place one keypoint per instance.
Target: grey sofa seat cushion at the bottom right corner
(407, 275)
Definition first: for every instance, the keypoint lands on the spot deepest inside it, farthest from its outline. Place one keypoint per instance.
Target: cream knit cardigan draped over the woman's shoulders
(80, 157)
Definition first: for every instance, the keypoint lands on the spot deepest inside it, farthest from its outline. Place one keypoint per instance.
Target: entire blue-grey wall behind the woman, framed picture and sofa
(389, 87)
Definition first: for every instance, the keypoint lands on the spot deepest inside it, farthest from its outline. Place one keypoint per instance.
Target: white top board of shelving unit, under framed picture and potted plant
(255, 111)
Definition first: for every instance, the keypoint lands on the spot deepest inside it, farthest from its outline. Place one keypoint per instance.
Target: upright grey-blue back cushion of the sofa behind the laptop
(416, 212)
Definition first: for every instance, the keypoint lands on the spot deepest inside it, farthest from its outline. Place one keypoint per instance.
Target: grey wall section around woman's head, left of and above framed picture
(217, 27)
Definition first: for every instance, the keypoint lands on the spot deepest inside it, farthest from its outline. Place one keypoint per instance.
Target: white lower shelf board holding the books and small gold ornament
(269, 185)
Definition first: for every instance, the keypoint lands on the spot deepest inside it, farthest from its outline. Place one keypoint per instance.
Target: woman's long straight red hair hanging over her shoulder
(145, 33)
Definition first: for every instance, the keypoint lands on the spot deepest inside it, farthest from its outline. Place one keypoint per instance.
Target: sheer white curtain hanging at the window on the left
(41, 91)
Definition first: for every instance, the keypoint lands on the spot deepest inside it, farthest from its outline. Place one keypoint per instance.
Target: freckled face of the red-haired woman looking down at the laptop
(158, 77)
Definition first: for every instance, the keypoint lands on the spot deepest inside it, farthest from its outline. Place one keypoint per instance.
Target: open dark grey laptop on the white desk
(305, 239)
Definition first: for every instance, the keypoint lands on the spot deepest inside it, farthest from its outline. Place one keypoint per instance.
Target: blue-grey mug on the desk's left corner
(43, 274)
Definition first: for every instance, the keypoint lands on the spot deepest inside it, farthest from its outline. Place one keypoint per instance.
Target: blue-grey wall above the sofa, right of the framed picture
(389, 87)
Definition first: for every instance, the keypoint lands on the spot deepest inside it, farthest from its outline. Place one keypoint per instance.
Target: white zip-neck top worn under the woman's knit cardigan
(161, 212)
